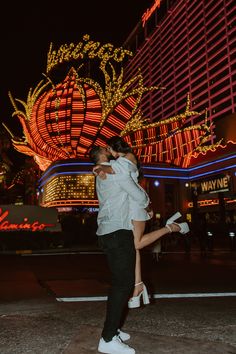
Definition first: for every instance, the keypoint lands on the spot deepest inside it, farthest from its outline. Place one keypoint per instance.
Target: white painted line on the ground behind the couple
(155, 296)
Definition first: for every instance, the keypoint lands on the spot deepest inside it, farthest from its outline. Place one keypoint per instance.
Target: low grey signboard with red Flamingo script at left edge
(28, 218)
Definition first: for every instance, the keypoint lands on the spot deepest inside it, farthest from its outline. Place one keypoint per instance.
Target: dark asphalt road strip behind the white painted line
(86, 274)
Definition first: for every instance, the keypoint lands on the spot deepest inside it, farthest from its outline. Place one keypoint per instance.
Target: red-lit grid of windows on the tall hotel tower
(205, 43)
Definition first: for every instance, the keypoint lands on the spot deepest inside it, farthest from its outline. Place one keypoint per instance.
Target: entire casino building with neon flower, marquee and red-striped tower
(173, 100)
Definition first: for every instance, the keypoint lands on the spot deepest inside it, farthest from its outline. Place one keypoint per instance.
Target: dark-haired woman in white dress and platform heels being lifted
(126, 160)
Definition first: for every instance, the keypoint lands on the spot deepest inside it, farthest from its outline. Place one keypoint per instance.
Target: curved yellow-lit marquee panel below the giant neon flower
(69, 189)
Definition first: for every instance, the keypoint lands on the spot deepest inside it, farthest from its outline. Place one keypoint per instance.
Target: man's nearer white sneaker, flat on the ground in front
(115, 346)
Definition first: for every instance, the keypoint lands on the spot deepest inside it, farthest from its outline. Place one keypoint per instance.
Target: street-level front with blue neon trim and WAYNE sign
(207, 187)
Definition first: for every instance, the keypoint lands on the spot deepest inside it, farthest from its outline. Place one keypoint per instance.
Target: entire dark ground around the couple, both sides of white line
(33, 321)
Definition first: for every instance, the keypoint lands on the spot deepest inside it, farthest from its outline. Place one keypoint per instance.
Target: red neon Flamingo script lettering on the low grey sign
(6, 225)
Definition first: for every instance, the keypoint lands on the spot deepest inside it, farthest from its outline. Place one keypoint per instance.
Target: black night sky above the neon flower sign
(27, 29)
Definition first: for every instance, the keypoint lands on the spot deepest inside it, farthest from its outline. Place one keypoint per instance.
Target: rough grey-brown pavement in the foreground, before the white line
(190, 326)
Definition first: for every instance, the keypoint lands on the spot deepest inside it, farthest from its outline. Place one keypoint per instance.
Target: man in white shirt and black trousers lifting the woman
(115, 236)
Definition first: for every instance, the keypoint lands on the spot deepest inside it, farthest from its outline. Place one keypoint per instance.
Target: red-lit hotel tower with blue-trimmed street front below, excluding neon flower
(189, 47)
